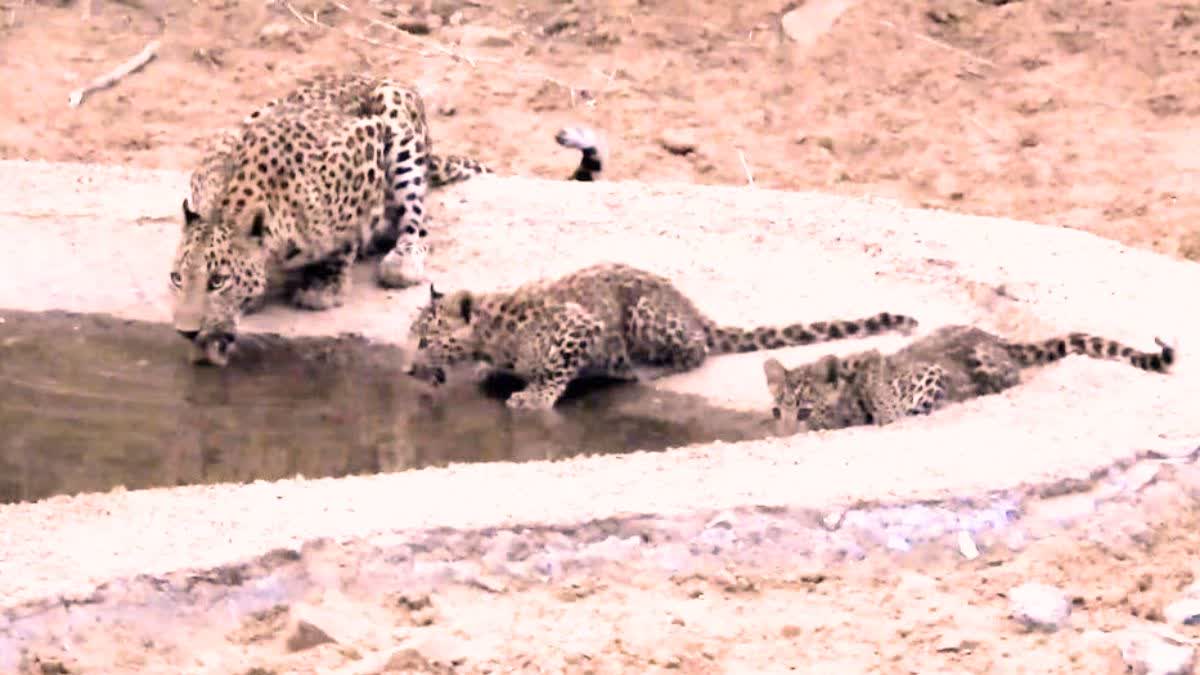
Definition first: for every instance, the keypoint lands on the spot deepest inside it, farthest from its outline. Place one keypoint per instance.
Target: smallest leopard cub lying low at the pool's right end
(955, 363)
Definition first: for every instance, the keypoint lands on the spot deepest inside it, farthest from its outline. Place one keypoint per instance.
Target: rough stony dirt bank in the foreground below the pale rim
(869, 589)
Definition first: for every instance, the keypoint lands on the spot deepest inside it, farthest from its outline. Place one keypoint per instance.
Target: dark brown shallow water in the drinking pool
(89, 403)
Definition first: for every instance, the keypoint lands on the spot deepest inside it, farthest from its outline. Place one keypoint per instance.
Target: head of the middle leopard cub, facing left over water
(442, 336)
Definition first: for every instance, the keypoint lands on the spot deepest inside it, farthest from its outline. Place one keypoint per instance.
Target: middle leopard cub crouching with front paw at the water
(608, 320)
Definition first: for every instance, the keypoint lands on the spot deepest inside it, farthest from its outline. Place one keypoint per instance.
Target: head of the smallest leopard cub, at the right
(806, 396)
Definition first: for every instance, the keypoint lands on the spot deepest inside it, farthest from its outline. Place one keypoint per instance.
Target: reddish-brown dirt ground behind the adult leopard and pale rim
(1078, 115)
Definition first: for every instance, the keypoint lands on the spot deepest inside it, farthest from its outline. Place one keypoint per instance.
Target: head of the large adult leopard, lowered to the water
(219, 273)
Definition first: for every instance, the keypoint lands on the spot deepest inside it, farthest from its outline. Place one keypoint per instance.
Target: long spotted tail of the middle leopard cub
(728, 341)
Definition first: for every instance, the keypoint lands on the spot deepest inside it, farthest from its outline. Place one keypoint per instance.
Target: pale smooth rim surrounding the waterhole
(100, 240)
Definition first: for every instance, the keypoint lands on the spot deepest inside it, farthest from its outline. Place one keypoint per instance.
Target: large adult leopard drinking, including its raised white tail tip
(334, 171)
